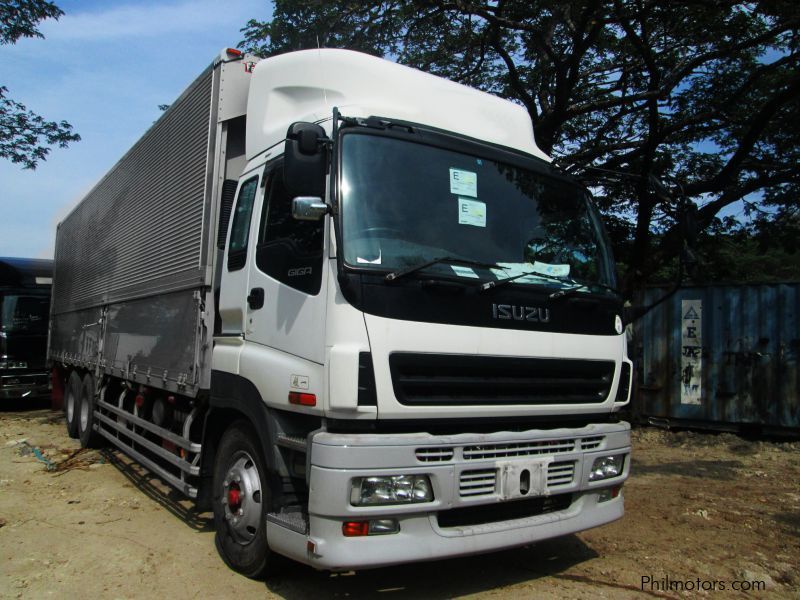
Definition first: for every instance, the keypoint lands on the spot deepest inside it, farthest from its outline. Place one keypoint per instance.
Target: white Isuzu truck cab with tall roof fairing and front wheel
(423, 312)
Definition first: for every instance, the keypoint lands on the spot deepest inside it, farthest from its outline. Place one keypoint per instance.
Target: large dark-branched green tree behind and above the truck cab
(702, 94)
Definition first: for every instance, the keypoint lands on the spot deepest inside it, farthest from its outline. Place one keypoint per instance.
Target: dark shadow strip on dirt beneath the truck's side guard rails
(151, 485)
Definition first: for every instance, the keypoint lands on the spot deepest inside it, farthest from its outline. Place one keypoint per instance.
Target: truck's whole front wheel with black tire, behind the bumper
(241, 499)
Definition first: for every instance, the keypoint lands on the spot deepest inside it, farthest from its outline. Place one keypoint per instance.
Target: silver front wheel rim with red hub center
(242, 497)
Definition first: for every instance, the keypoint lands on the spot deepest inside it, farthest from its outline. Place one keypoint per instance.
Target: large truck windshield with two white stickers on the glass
(404, 203)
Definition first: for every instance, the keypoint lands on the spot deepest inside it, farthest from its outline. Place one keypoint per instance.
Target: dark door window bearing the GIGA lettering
(288, 250)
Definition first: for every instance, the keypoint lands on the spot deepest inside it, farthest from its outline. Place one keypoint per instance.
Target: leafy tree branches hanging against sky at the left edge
(24, 135)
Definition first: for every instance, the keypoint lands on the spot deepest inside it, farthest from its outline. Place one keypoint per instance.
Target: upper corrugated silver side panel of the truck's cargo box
(139, 231)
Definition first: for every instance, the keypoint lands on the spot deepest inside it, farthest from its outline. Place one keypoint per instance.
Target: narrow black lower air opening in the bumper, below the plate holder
(503, 511)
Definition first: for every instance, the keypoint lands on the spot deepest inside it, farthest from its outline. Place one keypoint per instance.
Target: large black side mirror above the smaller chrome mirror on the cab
(305, 160)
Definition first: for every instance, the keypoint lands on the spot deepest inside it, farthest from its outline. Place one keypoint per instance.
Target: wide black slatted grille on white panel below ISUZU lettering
(455, 380)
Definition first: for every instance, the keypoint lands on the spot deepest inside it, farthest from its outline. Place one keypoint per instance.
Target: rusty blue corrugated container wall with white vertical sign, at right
(720, 356)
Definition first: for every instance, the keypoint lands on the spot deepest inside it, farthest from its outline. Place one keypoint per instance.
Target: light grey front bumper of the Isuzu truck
(480, 472)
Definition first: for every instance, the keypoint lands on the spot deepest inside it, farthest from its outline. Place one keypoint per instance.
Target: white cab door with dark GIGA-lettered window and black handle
(286, 299)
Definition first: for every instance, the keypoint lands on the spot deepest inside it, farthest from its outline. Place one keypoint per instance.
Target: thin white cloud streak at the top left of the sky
(148, 20)
